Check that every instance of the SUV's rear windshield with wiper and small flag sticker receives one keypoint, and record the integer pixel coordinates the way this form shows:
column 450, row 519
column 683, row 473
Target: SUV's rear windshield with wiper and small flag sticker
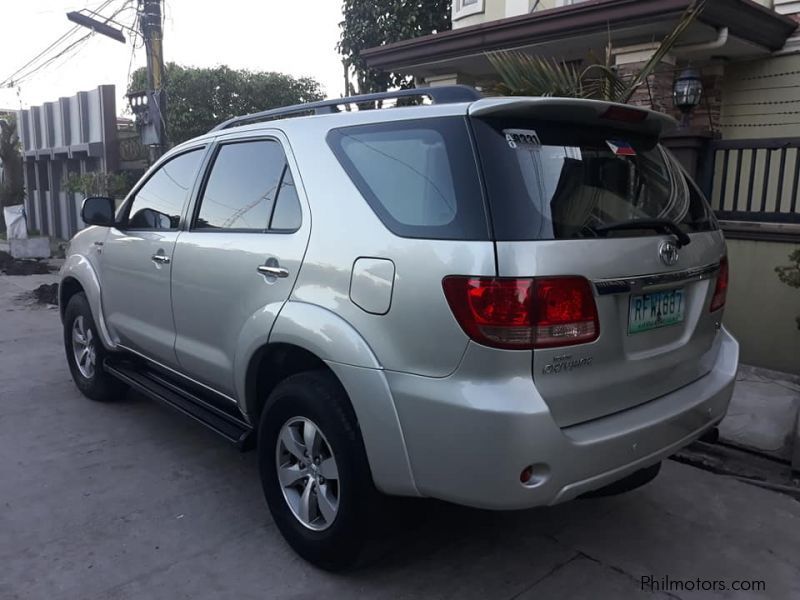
column 559, row 181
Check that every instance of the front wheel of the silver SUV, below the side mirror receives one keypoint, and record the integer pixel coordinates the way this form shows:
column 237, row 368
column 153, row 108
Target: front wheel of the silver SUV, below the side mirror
column 89, row 377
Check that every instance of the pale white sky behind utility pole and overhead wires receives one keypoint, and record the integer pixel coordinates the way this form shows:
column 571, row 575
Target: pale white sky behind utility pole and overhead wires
column 297, row 37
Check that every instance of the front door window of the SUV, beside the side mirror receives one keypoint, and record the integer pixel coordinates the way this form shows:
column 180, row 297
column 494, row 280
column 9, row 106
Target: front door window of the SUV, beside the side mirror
column 159, row 202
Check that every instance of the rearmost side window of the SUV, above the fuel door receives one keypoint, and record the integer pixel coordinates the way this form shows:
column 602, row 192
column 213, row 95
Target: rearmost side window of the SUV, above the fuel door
column 420, row 177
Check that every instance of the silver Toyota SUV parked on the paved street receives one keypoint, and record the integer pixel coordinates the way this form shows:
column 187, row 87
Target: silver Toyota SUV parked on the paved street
column 497, row 302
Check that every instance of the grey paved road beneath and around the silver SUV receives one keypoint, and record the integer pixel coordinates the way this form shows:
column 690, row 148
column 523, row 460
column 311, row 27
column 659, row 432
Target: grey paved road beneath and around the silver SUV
column 132, row 501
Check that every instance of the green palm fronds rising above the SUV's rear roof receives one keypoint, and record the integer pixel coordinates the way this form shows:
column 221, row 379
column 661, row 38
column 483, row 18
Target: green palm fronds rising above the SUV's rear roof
column 525, row 75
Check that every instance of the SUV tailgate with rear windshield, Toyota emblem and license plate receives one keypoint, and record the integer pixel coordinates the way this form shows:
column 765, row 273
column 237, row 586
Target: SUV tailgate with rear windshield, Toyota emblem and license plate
column 563, row 196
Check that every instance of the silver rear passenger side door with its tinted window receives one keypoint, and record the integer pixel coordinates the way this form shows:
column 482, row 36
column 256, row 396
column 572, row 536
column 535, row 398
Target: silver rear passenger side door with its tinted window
column 238, row 261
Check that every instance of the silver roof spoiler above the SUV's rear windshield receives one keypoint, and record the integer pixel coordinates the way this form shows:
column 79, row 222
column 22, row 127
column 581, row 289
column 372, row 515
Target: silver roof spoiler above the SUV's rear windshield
column 576, row 111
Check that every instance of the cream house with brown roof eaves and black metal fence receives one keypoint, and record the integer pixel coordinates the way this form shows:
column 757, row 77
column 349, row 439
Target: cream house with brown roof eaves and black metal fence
column 742, row 142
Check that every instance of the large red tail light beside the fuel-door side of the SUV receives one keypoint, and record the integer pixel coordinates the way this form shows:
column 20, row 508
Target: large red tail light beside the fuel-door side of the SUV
column 524, row 313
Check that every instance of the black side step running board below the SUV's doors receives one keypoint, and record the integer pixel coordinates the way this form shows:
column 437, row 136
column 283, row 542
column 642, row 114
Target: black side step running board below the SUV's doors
column 156, row 386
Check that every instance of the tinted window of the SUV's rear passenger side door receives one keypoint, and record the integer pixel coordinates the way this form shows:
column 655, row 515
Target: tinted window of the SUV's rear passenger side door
column 242, row 187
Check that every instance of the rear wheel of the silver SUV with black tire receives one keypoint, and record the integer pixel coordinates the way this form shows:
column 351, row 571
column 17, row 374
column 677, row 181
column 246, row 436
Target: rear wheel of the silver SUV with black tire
column 316, row 397
